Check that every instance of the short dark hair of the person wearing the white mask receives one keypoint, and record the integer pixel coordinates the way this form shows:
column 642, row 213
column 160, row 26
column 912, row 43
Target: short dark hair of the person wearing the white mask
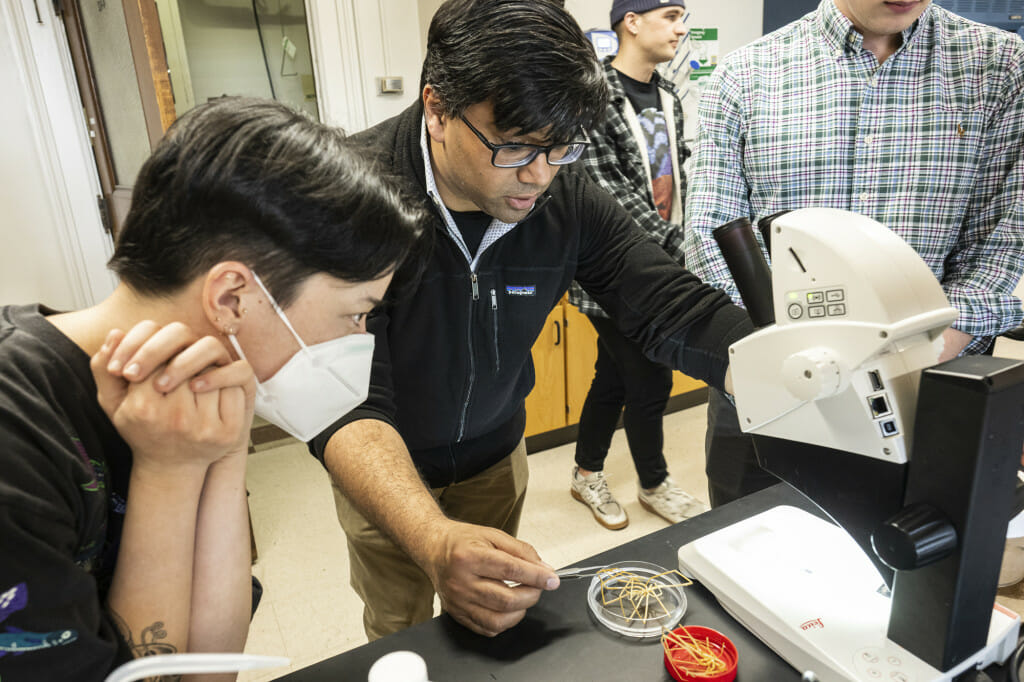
column 255, row 182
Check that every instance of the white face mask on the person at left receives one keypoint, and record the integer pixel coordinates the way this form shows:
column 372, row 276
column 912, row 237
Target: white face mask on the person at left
column 318, row 386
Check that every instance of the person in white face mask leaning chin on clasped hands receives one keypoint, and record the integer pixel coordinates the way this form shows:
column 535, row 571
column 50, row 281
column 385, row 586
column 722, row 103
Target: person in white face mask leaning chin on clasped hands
column 257, row 243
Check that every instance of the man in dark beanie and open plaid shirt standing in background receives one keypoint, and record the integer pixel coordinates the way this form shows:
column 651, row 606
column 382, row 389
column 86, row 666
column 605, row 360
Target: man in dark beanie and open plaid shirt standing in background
column 637, row 155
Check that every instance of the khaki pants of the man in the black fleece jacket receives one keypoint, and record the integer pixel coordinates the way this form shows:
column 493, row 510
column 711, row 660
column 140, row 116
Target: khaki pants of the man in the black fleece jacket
column 396, row 593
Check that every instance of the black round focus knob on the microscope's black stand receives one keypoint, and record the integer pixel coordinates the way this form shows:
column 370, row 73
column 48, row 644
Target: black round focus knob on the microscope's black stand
column 915, row 537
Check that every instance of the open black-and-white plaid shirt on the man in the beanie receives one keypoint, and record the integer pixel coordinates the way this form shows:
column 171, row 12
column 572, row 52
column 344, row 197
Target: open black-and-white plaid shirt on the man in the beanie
column 619, row 163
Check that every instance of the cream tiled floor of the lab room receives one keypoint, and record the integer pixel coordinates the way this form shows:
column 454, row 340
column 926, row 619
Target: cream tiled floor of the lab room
column 310, row 613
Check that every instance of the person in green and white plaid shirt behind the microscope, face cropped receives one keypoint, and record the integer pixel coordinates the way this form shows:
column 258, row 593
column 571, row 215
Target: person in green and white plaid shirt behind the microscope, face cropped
column 900, row 111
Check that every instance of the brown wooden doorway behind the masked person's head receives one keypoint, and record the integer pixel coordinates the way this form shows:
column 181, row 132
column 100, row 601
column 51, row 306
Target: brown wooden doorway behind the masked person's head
column 121, row 65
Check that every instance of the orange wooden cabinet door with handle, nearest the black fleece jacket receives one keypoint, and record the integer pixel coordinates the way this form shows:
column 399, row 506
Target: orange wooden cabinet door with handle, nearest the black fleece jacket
column 546, row 404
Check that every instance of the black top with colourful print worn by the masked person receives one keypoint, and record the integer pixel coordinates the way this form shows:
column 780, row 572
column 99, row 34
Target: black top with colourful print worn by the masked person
column 63, row 495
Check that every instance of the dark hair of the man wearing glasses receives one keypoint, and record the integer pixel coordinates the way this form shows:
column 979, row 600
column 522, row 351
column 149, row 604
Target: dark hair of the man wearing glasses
column 529, row 58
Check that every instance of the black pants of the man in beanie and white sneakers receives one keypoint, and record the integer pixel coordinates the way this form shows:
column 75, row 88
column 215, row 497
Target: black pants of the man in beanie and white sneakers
column 625, row 377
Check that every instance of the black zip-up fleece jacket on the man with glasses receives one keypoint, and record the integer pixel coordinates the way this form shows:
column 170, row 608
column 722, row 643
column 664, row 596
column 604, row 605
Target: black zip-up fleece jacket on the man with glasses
column 453, row 366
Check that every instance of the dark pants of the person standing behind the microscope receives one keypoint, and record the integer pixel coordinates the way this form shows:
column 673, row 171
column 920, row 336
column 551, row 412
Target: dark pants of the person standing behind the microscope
column 731, row 461
